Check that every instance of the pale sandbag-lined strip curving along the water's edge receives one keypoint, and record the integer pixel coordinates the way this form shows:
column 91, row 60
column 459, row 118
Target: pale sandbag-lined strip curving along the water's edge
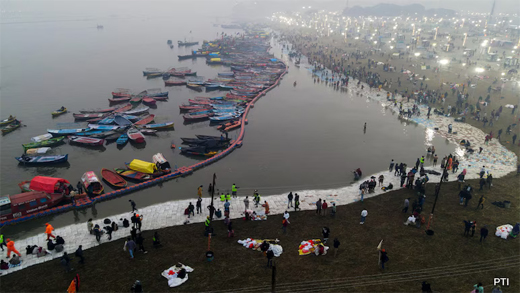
column 497, row 159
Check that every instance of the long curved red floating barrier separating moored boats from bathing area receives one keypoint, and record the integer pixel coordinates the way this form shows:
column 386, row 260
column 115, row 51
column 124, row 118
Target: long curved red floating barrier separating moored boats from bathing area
column 184, row 171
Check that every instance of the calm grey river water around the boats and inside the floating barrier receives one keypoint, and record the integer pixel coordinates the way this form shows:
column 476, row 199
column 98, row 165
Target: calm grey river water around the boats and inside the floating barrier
column 298, row 138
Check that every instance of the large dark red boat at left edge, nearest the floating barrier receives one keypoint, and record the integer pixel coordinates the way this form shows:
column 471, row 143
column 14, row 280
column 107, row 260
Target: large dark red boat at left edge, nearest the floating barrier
column 23, row 204
